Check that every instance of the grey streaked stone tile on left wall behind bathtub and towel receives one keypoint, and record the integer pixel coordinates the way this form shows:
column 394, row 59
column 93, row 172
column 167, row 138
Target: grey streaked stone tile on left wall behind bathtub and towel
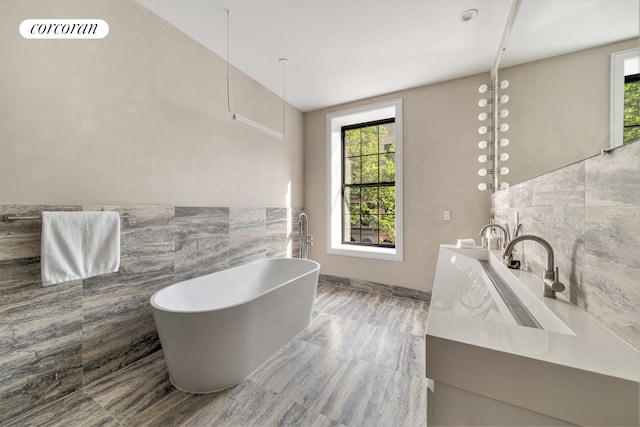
column 59, row 338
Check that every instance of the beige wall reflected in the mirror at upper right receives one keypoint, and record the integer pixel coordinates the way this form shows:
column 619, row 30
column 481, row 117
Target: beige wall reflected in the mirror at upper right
column 559, row 110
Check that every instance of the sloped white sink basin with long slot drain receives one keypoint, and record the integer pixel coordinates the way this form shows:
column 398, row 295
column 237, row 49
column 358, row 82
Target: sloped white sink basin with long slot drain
column 481, row 289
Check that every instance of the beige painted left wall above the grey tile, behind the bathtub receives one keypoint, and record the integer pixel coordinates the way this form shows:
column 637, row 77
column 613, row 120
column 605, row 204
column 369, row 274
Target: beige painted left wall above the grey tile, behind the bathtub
column 138, row 117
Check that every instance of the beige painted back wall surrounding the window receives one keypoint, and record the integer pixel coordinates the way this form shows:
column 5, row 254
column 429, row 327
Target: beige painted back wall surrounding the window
column 440, row 172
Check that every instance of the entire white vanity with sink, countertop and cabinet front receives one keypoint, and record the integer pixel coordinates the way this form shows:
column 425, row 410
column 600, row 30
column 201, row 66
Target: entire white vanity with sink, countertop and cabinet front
column 486, row 369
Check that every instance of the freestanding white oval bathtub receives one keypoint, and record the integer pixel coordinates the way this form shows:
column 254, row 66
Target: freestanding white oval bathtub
column 216, row 330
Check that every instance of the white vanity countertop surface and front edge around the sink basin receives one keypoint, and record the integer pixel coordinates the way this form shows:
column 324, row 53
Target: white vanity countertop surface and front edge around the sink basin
column 593, row 348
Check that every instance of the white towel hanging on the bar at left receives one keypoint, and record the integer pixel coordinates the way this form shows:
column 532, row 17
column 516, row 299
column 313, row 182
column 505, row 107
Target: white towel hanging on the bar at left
column 77, row 245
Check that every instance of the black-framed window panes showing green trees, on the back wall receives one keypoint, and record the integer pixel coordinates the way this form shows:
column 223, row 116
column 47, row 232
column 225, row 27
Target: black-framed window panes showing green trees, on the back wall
column 368, row 184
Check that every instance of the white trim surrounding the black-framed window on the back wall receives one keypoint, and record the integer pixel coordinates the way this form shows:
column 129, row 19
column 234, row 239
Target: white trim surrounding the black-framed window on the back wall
column 335, row 122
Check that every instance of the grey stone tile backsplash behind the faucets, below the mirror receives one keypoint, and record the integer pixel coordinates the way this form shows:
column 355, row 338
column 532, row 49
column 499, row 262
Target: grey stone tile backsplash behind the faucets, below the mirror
column 590, row 213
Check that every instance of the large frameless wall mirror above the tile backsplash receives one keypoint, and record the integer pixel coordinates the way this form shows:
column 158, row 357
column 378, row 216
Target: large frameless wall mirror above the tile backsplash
column 558, row 60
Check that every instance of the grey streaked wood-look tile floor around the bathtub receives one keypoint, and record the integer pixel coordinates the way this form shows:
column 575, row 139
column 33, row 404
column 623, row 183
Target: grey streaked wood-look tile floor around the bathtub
column 359, row 363
